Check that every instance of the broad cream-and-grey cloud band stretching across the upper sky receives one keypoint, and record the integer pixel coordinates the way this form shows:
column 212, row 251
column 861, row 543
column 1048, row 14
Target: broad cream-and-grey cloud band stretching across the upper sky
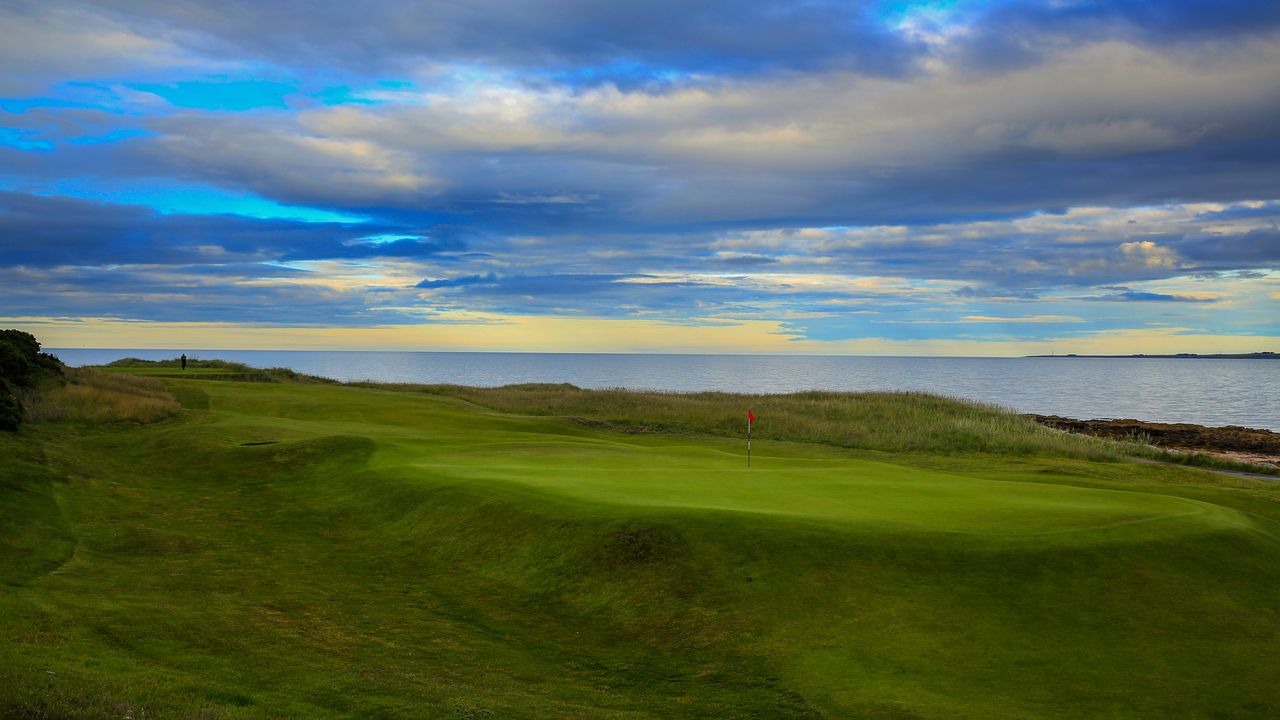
column 1105, row 124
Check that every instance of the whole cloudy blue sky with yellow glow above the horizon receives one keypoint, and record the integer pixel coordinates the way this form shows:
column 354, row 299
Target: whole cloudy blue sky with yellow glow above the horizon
column 881, row 177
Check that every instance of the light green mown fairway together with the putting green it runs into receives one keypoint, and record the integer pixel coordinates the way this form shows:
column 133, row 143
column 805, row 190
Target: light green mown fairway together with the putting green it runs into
column 798, row 482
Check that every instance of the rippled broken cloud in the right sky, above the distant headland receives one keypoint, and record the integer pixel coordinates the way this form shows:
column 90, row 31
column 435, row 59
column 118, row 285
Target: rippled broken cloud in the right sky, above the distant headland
column 1017, row 258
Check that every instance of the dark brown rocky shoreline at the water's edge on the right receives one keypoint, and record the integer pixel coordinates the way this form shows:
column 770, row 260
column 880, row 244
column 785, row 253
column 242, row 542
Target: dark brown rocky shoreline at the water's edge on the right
column 1247, row 445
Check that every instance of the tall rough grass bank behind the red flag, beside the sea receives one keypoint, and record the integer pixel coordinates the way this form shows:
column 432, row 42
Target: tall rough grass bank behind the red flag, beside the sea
column 890, row 422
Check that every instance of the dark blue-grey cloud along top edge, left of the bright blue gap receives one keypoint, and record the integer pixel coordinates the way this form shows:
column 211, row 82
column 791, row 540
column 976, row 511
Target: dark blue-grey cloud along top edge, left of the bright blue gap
column 387, row 37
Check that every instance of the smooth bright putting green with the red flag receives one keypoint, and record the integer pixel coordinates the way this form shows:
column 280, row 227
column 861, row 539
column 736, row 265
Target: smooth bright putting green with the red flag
column 856, row 493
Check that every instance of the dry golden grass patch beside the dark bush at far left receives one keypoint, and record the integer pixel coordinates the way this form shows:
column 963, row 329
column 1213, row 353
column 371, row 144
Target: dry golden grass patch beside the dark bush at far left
column 103, row 398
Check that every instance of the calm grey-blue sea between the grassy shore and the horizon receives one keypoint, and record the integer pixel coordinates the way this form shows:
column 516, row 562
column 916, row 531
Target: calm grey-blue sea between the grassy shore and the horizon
column 1210, row 393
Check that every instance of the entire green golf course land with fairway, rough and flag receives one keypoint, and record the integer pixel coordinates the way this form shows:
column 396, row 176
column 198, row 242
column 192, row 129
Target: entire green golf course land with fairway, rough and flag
column 200, row 544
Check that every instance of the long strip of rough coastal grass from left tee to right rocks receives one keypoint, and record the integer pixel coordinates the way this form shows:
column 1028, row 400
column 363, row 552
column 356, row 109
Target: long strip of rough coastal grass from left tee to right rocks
column 890, row 422
